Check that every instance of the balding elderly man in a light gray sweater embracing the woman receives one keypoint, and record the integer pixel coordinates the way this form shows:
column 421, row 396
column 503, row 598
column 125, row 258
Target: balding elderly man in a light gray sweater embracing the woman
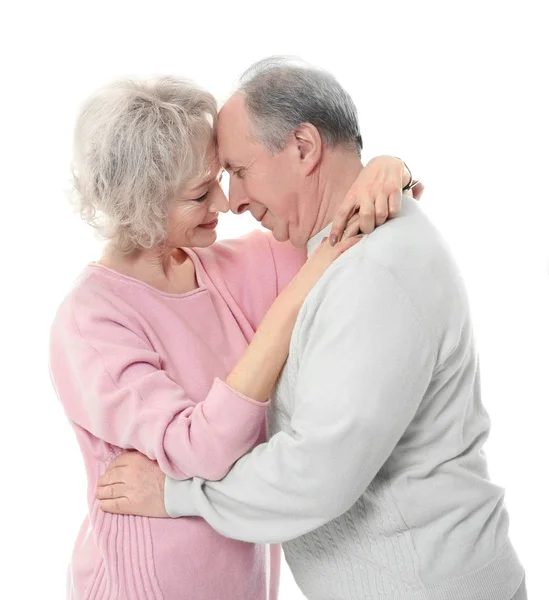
column 374, row 476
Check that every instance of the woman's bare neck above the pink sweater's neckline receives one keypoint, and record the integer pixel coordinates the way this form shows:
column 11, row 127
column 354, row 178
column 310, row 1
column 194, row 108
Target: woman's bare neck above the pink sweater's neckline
column 168, row 270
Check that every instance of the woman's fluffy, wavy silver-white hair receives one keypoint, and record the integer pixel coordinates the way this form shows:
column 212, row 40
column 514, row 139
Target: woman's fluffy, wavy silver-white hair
column 135, row 144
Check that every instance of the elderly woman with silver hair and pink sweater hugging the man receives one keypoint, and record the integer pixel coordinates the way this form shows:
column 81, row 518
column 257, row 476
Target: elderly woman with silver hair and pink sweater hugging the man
column 170, row 344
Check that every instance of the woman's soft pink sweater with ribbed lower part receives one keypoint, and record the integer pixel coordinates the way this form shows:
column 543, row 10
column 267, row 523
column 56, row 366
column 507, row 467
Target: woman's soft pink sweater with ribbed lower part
column 138, row 368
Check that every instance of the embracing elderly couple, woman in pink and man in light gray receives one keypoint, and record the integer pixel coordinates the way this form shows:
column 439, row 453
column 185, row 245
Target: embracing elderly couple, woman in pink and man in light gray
column 316, row 385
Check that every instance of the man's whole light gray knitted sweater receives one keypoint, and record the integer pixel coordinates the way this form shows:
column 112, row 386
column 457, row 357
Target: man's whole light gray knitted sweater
column 374, row 475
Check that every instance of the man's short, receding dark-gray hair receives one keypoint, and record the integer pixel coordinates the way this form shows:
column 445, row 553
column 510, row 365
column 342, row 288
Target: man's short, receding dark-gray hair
column 281, row 95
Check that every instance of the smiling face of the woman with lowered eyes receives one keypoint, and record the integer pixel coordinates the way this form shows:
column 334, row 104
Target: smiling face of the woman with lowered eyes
column 192, row 218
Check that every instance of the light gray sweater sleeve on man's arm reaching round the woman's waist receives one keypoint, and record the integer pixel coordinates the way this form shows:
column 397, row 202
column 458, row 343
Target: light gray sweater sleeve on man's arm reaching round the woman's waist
column 365, row 362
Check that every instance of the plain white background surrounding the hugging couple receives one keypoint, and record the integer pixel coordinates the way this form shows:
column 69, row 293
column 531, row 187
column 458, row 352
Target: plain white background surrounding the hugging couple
column 454, row 88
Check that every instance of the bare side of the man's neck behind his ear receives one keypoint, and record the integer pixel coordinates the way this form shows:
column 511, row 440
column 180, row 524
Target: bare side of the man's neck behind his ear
column 338, row 172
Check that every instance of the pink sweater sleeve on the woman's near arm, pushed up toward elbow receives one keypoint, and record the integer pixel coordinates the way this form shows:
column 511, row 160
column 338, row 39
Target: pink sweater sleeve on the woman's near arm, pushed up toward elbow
column 111, row 383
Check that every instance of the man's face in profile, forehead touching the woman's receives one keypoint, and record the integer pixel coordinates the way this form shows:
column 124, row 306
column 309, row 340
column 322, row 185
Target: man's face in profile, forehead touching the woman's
column 265, row 184
